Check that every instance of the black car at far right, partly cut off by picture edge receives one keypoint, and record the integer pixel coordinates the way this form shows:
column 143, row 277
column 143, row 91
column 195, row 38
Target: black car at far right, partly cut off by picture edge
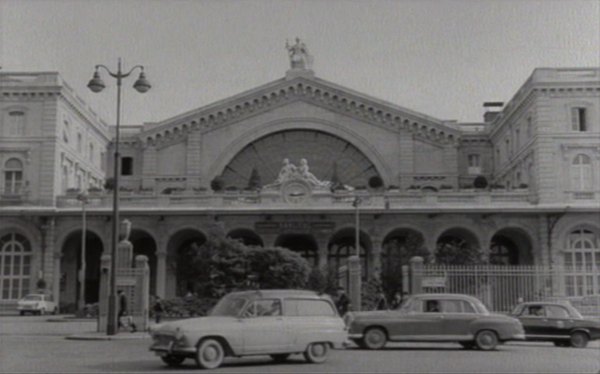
column 559, row 323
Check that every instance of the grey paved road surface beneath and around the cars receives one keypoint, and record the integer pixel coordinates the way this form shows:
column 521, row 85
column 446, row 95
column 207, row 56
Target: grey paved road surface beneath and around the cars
column 32, row 344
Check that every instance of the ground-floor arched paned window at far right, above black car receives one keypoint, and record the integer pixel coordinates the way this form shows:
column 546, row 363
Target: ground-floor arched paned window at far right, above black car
column 582, row 263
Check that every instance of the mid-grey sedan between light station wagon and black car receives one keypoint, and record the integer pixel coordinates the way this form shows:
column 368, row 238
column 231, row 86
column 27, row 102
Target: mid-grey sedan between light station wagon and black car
column 435, row 318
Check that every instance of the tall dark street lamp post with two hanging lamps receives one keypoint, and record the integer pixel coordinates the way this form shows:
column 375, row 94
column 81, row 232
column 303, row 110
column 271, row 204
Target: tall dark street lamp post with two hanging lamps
column 96, row 85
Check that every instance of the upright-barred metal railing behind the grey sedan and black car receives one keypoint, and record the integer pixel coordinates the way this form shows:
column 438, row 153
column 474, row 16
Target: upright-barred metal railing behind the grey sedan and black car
column 501, row 287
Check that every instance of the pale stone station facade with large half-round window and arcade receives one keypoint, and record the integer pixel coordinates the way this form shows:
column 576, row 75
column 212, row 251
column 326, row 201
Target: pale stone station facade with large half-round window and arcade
column 540, row 155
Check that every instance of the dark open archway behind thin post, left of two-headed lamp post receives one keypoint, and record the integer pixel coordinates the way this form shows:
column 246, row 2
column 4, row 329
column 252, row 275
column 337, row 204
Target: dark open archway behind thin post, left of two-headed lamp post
column 70, row 265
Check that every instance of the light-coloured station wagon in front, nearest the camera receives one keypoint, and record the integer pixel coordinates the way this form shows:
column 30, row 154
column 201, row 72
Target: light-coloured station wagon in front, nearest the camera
column 262, row 322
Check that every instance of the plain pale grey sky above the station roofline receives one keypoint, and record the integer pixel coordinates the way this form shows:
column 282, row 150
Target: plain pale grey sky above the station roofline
column 443, row 58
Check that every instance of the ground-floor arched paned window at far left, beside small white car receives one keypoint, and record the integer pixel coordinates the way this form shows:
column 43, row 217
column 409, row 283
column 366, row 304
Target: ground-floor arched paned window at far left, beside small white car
column 15, row 266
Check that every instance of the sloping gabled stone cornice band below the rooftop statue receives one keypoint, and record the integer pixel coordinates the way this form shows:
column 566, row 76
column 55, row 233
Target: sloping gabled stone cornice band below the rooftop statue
column 305, row 88
